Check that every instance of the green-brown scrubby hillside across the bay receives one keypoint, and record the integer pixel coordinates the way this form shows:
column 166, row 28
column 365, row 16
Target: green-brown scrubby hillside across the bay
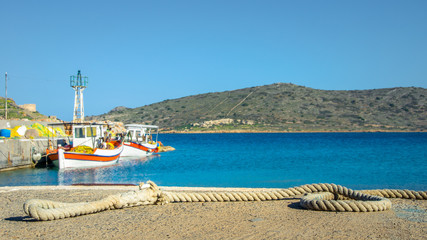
column 285, row 107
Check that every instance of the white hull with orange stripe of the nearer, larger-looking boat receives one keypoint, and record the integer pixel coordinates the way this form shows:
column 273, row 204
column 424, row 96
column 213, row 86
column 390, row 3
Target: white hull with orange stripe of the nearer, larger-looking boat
column 100, row 157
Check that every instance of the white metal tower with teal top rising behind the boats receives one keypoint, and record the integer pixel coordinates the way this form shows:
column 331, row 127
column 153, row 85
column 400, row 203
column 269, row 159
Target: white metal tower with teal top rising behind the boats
column 78, row 83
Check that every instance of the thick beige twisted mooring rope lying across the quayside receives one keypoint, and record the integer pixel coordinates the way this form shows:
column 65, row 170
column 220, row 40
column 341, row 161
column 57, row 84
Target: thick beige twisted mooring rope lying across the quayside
column 325, row 197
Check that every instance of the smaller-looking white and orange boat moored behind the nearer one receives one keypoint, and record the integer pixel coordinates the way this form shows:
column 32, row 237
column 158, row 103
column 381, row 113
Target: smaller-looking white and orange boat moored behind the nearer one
column 139, row 141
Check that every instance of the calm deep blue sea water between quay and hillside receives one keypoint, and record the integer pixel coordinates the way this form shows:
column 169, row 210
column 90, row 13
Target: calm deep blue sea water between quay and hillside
column 355, row 160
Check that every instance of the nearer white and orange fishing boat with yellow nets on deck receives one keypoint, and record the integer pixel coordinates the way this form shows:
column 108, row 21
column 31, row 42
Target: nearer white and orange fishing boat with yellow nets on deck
column 87, row 146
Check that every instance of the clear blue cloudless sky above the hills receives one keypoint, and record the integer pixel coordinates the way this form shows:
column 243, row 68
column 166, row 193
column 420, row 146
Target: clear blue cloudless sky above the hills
column 140, row 52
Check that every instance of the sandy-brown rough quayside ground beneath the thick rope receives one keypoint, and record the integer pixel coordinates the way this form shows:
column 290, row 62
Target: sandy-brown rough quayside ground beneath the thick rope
column 282, row 219
